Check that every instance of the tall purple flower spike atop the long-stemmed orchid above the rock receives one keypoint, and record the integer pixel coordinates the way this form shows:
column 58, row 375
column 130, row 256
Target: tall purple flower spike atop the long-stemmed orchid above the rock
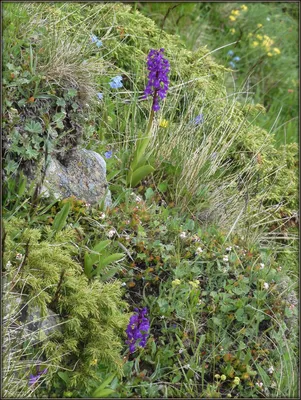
column 158, row 82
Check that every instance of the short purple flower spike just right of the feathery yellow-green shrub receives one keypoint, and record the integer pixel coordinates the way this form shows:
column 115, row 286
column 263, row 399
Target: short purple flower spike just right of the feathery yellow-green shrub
column 138, row 329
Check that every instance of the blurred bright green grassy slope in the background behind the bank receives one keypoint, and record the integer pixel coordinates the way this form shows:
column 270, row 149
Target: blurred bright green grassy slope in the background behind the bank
column 264, row 79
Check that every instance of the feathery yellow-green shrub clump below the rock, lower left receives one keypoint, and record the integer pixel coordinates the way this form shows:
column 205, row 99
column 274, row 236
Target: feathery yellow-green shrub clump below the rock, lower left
column 92, row 314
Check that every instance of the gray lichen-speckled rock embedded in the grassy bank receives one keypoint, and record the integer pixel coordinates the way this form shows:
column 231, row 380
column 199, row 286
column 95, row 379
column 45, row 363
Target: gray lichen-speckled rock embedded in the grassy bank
column 82, row 176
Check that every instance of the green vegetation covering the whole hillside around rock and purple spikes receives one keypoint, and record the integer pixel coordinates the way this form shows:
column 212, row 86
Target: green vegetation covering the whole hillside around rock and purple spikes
column 203, row 227
